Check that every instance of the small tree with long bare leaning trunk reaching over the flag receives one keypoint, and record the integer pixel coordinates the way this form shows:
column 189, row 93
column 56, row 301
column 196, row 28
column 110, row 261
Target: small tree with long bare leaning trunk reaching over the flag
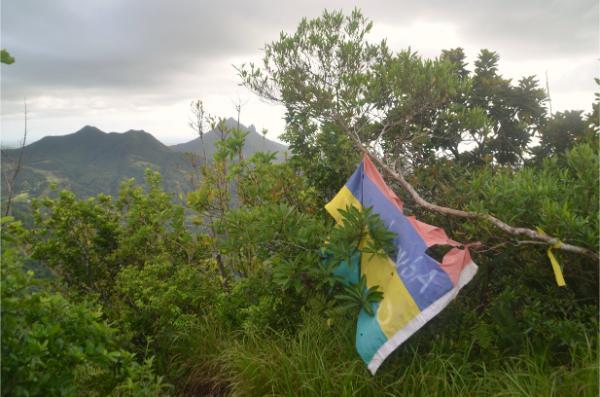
column 387, row 105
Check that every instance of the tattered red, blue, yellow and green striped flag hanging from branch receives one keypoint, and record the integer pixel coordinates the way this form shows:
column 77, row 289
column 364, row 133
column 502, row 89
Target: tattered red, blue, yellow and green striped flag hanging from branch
column 415, row 286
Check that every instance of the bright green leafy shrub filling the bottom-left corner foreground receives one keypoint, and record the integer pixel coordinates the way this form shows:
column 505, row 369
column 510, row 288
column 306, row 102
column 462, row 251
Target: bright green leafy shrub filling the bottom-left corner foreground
column 52, row 346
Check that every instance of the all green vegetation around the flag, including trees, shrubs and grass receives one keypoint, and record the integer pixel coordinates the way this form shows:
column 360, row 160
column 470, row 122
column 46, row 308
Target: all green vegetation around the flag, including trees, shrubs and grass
column 231, row 293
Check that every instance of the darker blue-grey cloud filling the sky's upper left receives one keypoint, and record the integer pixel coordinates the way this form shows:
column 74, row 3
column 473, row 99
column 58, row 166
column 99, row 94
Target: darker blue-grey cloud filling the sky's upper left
column 112, row 43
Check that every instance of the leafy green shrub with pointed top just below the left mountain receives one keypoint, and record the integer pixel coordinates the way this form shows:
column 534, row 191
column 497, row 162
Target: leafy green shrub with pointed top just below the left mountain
column 88, row 242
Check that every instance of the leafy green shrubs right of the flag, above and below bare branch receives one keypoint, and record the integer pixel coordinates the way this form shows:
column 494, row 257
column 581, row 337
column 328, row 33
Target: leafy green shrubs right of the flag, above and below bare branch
column 513, row 305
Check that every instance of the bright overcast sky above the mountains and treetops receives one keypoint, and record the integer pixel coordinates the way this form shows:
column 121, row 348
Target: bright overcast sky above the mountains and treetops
column 137, row 64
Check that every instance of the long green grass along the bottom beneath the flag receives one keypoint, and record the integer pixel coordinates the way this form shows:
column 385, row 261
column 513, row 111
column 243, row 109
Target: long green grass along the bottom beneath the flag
column 321, row 361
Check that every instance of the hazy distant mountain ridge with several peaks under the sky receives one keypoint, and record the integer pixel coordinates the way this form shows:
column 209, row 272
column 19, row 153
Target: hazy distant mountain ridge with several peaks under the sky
column 91, row 161
